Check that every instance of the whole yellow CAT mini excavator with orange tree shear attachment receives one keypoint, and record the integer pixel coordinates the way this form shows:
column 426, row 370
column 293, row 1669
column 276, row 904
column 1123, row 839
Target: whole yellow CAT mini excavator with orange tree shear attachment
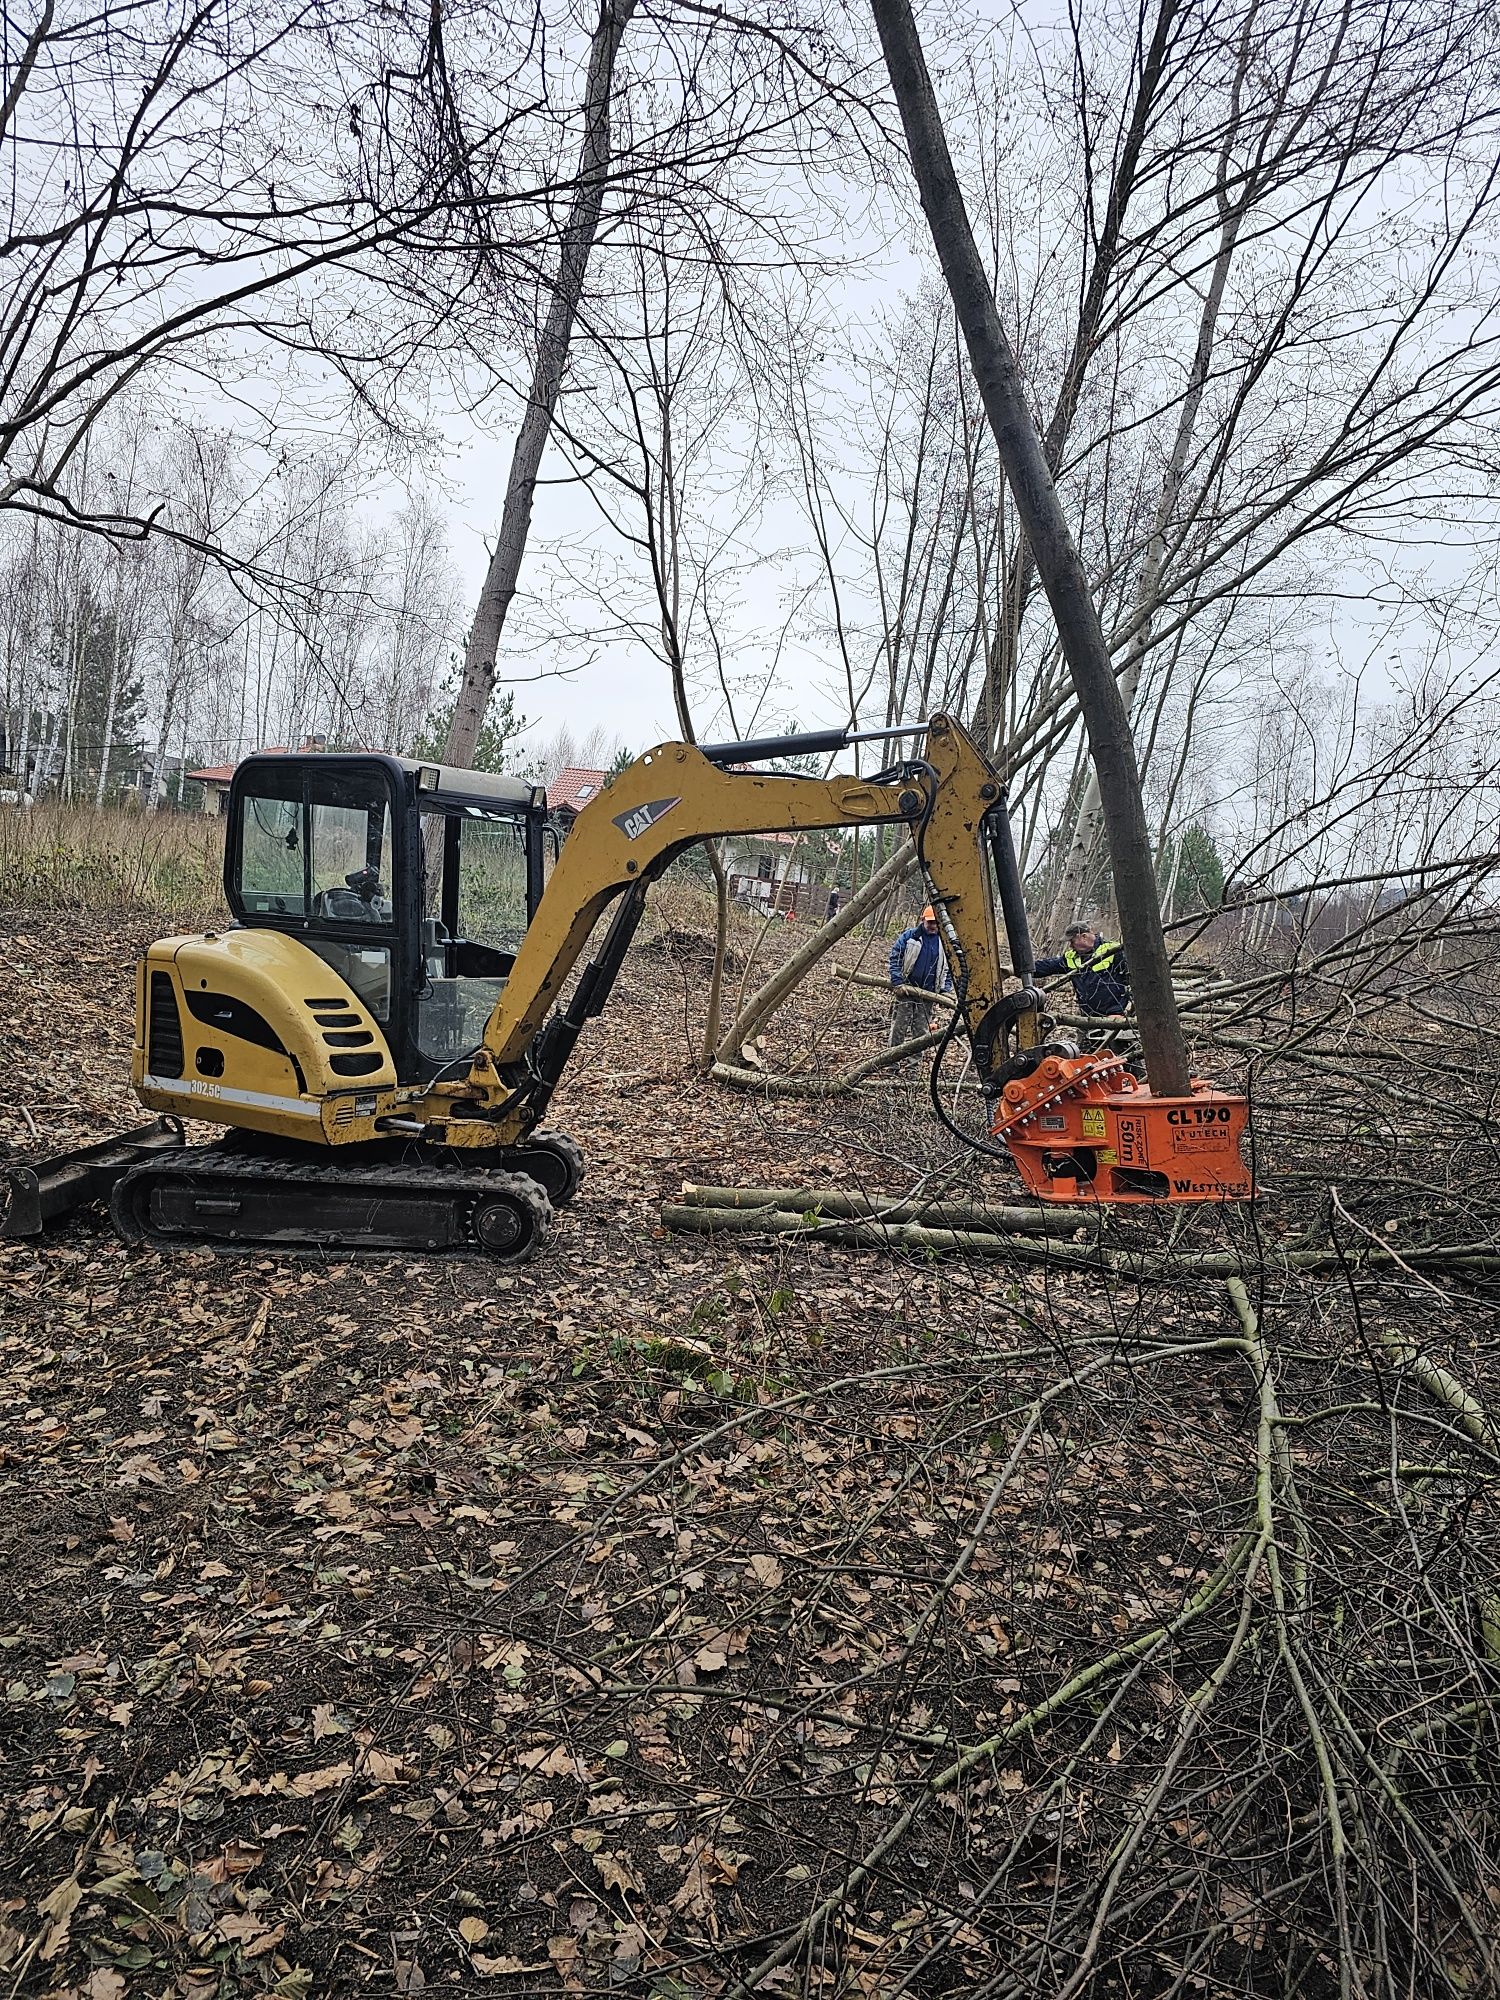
column 385, row 1021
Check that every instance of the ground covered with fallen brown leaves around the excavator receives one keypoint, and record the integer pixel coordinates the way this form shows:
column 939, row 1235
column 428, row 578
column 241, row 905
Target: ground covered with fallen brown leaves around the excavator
column 385, row 1625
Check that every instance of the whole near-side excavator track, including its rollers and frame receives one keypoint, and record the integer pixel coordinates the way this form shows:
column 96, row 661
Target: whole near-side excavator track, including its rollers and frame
column 233, row 1199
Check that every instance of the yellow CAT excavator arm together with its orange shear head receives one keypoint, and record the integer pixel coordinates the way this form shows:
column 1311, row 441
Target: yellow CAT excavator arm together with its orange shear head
column 1073, row 1123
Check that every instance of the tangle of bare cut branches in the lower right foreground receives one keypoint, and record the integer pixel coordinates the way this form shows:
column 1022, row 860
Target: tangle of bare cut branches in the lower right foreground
column 1287, row 1781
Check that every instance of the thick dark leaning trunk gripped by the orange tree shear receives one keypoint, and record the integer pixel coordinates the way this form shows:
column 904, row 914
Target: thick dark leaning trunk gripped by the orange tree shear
column 1055, row 555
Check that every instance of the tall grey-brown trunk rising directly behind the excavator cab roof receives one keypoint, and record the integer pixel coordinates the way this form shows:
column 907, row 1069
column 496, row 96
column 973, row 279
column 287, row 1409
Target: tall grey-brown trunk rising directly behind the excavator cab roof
column 477, row 685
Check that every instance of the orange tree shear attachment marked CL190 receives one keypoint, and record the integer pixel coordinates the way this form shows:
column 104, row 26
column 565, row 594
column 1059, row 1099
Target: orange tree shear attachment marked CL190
column 1083, row 1125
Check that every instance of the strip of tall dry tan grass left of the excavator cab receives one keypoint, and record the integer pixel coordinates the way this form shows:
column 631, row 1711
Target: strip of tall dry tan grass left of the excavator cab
column 71, row 857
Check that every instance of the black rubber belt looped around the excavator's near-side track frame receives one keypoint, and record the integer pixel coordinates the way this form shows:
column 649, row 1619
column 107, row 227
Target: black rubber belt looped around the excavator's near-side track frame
column 223, row 1165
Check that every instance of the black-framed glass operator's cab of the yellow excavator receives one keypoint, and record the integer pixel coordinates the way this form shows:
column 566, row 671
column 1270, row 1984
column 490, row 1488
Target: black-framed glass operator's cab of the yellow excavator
column 413, row 883
